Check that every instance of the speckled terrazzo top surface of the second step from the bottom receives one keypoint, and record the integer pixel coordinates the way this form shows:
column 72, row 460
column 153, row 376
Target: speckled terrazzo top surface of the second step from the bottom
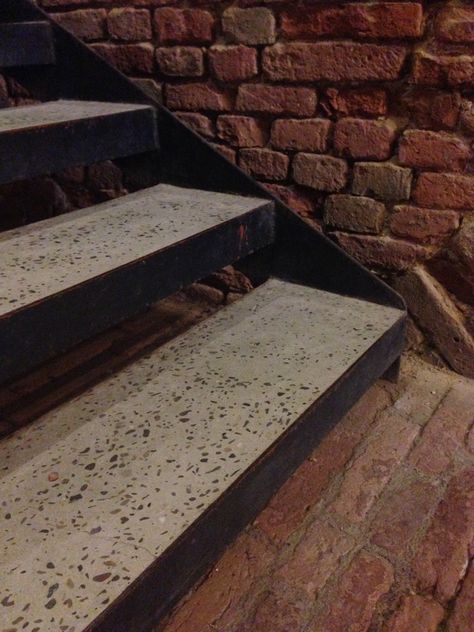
column 42, row 259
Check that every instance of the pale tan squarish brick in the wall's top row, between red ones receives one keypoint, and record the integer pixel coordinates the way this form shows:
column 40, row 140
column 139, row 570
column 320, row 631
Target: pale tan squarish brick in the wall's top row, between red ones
column 249, row 26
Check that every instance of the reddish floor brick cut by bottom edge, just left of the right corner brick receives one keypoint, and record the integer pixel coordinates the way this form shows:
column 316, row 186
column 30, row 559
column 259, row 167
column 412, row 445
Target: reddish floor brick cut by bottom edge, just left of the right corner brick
column 416, row 614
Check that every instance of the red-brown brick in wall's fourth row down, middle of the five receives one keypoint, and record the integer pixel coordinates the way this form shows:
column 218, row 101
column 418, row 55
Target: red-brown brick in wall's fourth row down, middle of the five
column 302, row 135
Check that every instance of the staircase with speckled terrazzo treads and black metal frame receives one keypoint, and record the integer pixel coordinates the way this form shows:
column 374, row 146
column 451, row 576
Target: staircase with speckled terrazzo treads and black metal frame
column 160, row 465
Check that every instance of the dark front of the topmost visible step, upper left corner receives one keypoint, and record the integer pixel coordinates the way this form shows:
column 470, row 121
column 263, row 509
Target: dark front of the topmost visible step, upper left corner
column 26, row 44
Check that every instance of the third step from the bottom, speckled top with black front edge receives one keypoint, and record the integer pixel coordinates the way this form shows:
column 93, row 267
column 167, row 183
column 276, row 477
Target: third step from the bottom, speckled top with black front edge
column 51, row 136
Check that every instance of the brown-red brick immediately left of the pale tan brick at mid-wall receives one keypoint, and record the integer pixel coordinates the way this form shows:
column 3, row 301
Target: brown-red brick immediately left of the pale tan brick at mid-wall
column 323, row 173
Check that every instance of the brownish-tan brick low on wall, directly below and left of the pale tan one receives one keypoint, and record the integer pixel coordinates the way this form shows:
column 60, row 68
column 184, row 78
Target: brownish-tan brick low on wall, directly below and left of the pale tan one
column 357, row 214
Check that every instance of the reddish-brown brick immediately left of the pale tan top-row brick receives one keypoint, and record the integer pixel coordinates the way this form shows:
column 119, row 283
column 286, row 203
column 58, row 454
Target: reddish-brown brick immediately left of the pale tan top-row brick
column 183, row 25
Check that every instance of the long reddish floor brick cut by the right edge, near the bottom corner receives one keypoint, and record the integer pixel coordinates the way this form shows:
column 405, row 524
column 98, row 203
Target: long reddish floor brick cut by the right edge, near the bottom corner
column 442, row 558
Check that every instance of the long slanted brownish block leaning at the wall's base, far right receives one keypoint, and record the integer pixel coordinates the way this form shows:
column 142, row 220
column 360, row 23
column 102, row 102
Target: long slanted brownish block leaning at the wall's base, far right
column 437, row 315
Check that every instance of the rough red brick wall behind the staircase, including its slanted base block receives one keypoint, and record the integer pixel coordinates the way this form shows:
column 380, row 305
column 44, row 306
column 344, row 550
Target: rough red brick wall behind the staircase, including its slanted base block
column 360, row 115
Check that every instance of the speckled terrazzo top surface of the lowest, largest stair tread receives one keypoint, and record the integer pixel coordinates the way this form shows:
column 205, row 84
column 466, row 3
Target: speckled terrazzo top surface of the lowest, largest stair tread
column 98, row 489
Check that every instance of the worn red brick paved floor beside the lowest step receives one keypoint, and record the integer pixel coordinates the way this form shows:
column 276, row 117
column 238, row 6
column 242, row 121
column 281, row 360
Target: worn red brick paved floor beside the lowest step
column 375, row 531
